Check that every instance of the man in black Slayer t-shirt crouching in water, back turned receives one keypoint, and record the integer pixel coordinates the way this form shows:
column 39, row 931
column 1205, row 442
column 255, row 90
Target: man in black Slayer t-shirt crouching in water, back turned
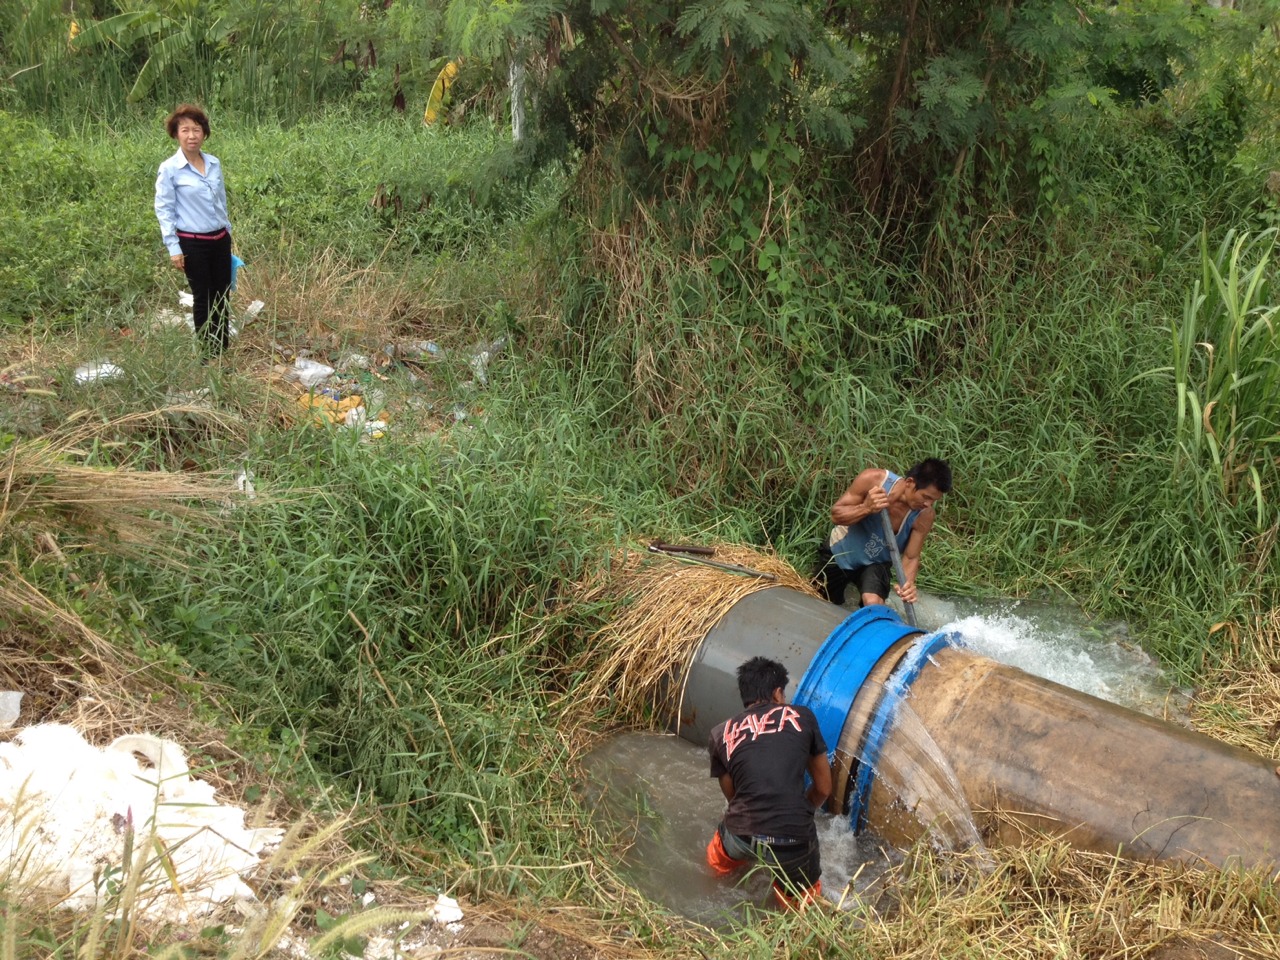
column 761, row 758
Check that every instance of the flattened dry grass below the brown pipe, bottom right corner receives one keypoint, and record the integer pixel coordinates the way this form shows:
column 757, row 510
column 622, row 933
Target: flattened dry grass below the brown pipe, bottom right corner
column 1049, row 900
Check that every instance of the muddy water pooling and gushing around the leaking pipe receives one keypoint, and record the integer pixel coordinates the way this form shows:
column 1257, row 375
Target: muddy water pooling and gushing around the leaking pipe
column 653, row 794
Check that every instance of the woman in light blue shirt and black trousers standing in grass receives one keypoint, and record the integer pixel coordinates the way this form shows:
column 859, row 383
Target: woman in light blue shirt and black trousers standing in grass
column 191, row 207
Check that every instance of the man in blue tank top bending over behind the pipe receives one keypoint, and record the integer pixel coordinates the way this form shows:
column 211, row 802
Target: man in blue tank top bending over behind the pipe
column 857, row 551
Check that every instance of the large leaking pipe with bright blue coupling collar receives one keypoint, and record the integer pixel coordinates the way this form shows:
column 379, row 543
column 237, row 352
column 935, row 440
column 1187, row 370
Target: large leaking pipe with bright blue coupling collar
column 1048, row 757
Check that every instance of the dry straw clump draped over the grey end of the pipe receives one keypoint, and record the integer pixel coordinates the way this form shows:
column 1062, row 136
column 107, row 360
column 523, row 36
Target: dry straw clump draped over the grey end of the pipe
column 668, row 606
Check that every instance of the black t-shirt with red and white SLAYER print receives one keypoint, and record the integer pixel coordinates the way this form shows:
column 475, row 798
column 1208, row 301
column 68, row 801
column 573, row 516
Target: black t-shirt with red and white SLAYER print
column 766, row 749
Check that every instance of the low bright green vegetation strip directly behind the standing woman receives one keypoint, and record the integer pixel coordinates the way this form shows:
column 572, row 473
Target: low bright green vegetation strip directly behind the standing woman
column 81, row 239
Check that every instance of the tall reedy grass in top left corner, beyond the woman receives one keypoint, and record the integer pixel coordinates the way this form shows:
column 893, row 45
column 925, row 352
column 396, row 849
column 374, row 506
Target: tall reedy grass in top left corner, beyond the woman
column 272, row 61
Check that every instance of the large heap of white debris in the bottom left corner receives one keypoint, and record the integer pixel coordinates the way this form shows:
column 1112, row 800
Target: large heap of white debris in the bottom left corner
column 72, row 812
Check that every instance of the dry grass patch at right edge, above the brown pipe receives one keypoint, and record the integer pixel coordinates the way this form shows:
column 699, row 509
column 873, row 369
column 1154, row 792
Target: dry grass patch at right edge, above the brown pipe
column 1240, row 703
